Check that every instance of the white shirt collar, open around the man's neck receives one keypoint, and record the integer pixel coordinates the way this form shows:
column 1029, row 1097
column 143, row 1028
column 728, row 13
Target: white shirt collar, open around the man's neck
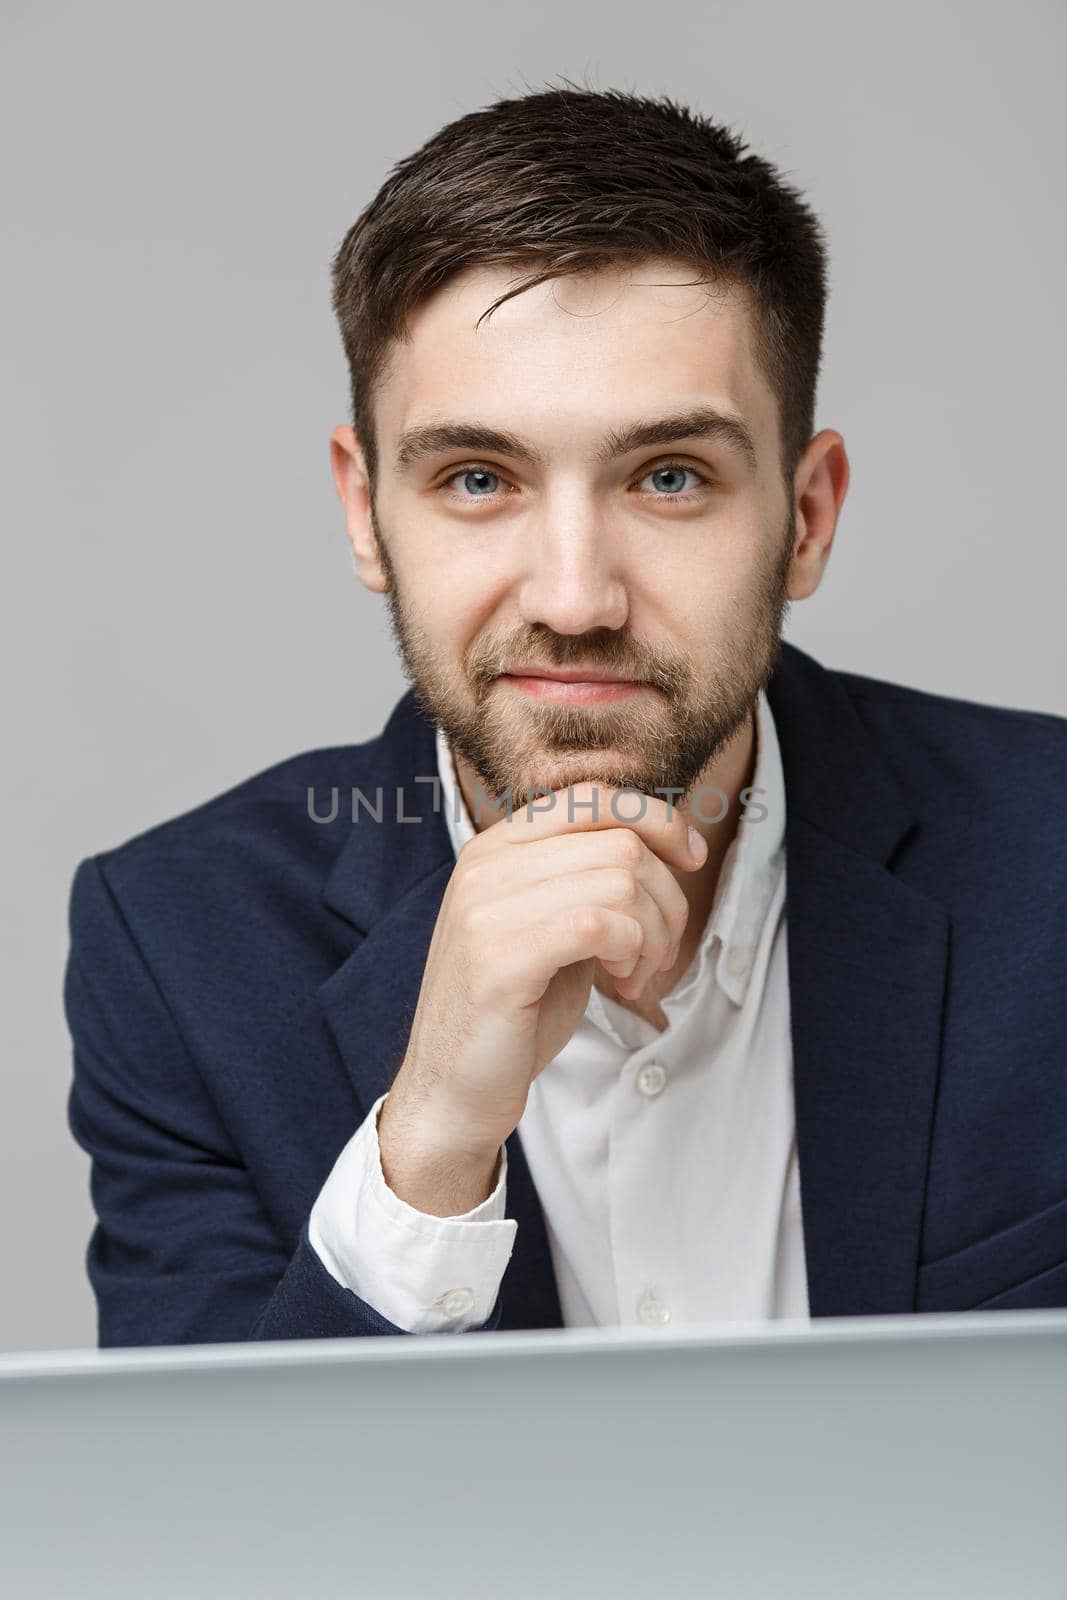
column 749, row 873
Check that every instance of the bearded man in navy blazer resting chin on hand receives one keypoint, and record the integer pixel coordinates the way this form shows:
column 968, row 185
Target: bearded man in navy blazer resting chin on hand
column 642, row 970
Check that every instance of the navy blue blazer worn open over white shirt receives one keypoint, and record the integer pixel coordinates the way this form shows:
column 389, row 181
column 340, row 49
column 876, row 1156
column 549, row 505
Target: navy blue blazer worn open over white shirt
column 242, row 983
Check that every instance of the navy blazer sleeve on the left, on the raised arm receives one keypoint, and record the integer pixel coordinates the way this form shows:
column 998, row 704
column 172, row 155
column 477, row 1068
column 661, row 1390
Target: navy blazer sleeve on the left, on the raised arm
column 183, row 1250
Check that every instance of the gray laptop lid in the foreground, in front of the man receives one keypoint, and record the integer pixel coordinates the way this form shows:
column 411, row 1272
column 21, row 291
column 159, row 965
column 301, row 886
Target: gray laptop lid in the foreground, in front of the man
column 866, row 1458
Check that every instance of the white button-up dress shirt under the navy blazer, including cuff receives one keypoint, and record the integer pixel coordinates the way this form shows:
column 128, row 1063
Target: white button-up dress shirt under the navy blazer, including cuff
column 665, row 1162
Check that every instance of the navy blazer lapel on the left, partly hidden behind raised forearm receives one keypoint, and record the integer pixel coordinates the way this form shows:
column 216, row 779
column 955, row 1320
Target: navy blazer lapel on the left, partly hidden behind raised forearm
column 390, row 881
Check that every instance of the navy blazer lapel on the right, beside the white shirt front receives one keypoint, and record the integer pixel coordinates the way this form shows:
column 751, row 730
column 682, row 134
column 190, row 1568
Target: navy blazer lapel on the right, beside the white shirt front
column 868, row 967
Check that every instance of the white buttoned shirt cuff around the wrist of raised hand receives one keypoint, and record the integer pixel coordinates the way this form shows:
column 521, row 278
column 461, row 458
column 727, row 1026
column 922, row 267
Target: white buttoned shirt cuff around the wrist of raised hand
column 426, row 1274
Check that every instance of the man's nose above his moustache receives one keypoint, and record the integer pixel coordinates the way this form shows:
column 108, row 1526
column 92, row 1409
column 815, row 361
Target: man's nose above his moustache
column 572, row 583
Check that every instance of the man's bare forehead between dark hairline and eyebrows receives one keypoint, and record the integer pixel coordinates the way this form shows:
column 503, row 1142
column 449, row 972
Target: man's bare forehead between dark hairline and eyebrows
column 575, row 354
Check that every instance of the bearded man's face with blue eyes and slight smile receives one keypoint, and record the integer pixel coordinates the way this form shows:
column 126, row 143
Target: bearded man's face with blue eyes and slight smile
column 660, row 561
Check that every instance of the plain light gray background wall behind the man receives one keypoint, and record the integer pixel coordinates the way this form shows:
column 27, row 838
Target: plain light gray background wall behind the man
column 180, row 602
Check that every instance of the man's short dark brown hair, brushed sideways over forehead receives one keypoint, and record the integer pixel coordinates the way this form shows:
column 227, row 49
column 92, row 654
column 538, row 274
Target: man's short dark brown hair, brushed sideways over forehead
column 569, row 180
